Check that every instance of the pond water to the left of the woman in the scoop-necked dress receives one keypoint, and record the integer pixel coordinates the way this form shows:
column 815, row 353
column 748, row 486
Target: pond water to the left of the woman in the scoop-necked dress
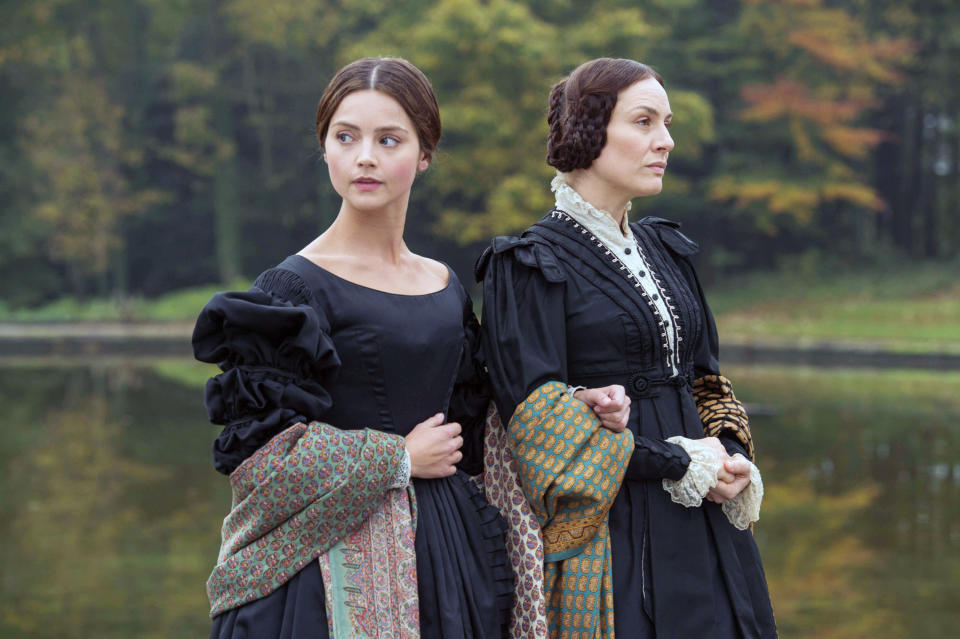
column 109, row 511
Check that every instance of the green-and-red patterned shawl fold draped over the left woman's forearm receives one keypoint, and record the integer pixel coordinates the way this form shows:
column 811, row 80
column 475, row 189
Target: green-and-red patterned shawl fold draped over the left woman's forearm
column 293, row 499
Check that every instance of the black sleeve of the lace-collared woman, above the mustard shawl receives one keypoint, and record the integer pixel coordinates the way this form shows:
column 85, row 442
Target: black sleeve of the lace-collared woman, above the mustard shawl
column 523, row 326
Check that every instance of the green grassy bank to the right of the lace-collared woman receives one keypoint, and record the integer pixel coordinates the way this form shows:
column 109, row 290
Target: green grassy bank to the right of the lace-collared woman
column 904, row 308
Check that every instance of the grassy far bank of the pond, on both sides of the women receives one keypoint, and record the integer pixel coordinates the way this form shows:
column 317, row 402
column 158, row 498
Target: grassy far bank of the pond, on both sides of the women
column 904, row 307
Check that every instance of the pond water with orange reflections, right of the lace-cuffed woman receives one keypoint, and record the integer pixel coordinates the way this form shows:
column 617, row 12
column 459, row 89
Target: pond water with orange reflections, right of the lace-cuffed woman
column 859, row 530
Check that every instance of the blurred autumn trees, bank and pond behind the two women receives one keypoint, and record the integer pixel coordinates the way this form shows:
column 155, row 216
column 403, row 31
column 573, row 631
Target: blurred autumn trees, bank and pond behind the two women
column 153, row 152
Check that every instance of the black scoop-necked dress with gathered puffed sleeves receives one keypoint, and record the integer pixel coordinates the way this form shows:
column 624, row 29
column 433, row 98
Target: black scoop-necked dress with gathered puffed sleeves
column 304, row 344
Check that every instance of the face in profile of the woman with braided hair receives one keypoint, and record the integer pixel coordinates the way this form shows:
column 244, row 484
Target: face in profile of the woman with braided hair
column 634, row 158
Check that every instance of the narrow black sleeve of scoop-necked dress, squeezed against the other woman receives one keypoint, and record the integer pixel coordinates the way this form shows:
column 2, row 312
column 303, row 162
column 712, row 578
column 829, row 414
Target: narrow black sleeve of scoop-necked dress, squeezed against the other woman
column 471, row 393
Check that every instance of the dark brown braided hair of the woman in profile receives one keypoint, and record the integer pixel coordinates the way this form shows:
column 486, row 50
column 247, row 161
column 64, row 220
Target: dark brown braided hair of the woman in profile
column 580, row 108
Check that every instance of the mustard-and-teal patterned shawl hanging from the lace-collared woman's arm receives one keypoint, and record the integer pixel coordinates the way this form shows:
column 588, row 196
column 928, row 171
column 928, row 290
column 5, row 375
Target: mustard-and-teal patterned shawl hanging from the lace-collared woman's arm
column 570, row 470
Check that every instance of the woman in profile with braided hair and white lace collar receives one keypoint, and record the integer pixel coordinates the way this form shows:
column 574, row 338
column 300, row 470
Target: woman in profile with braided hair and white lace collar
column 629, row 445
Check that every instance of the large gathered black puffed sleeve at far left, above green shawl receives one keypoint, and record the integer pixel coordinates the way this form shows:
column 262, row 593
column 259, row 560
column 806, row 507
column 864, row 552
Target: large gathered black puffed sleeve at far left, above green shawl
column 274, row 348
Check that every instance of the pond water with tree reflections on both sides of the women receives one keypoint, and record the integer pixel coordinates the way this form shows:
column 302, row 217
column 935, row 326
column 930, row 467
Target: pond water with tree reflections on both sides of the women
column 110, row 510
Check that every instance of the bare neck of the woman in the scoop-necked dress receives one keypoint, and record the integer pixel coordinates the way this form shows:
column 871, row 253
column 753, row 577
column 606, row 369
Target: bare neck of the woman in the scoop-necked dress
column 374, row 235
